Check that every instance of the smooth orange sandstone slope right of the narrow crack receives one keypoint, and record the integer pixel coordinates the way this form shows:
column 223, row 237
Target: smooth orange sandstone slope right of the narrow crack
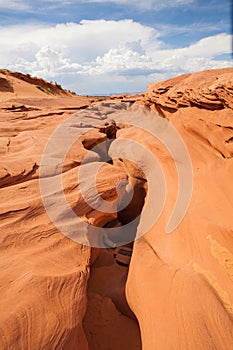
column 184, row 297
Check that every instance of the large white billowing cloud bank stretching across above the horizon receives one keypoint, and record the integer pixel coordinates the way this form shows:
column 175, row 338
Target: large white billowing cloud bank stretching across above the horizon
column 95, row 56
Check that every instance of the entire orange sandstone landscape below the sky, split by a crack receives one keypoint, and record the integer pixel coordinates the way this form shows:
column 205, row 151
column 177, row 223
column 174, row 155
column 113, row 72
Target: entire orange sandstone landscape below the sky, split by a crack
column 57, row 291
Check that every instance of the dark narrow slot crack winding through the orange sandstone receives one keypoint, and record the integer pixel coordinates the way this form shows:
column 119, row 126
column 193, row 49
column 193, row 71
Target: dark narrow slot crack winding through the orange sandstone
column 109, row 323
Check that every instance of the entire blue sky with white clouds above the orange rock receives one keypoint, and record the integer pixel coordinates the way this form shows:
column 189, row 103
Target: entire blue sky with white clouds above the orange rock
column 96, row 47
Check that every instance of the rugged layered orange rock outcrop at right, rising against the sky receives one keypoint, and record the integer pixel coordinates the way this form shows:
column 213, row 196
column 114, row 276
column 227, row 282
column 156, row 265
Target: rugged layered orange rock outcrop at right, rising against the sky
column 211, row 90
